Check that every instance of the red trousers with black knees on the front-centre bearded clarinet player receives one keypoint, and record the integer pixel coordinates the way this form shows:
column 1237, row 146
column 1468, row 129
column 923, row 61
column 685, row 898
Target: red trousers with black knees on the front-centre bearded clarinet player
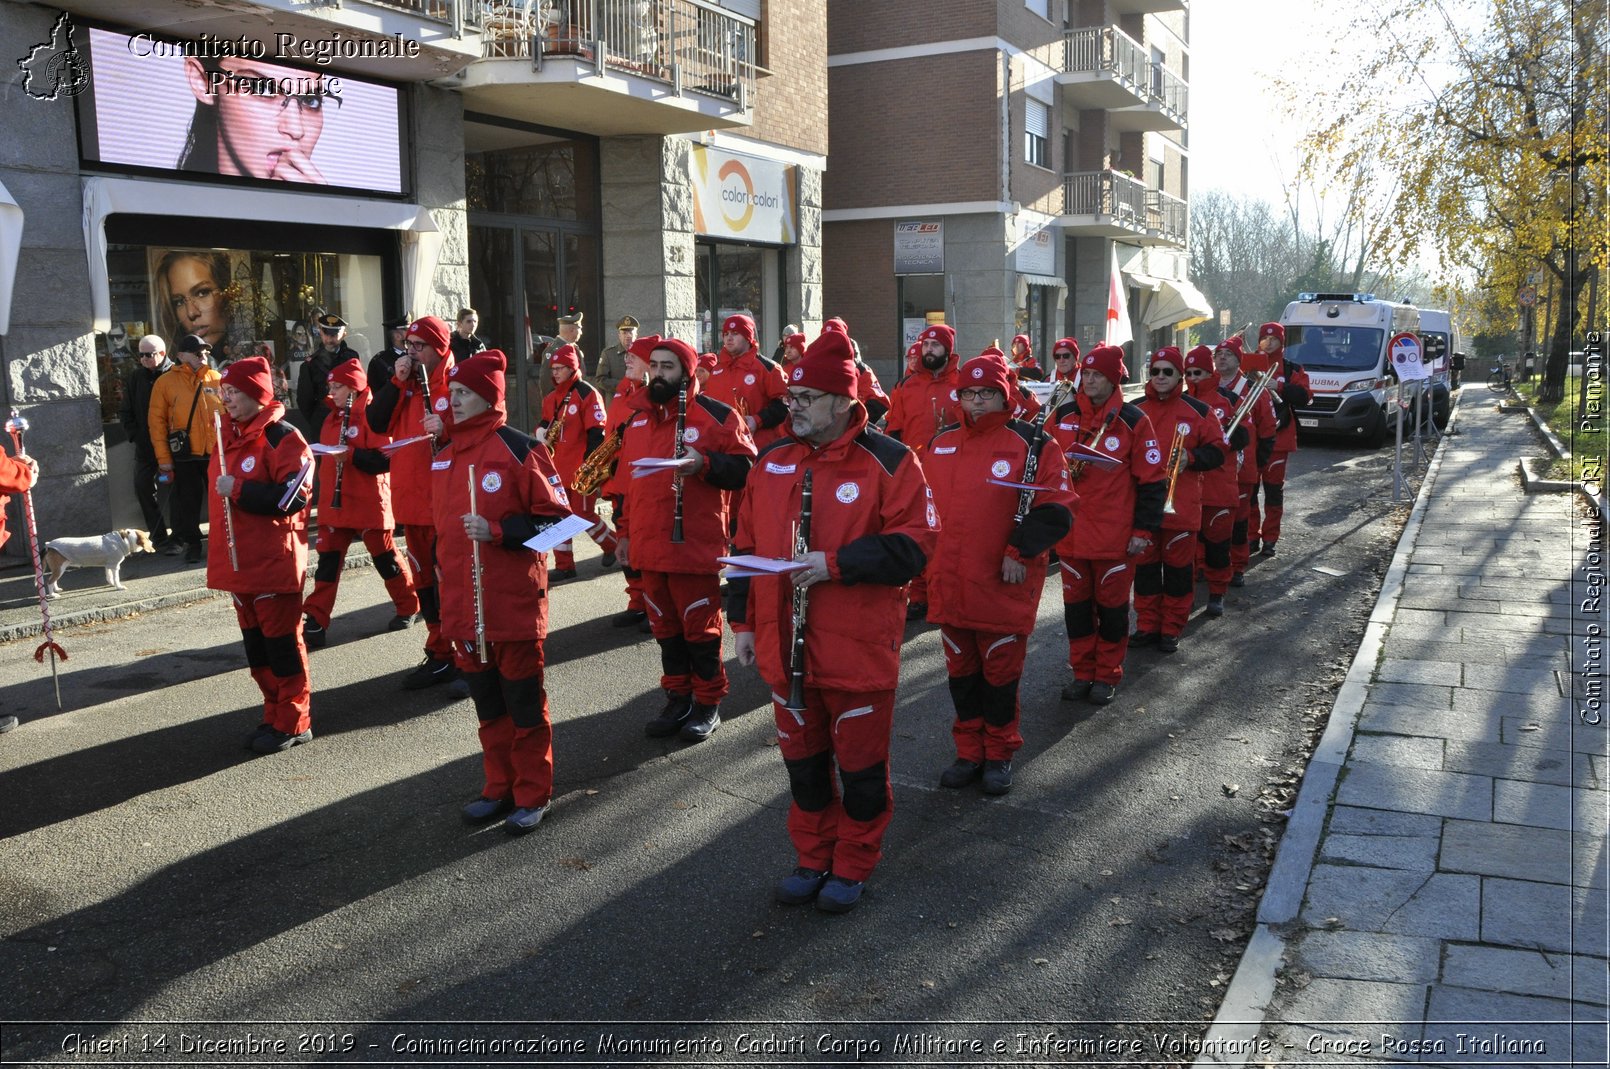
column 838, row 822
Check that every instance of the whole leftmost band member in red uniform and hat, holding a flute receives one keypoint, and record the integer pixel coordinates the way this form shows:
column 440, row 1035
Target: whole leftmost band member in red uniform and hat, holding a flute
column 263, row 505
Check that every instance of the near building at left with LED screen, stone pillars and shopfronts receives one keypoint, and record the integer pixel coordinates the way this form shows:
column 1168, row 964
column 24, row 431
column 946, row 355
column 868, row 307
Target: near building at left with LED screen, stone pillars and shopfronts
column 236, row 170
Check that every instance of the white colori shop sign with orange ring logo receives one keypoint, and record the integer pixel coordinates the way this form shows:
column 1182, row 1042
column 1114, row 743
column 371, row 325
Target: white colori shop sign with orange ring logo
column 745, row 197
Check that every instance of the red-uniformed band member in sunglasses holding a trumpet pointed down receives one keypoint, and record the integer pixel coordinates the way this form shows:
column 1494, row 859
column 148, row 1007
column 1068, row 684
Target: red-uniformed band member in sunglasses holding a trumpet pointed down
column 1165, row 574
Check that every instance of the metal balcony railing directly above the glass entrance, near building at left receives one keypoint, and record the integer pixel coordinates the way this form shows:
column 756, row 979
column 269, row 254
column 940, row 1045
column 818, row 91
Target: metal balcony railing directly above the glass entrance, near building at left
column 685, row 43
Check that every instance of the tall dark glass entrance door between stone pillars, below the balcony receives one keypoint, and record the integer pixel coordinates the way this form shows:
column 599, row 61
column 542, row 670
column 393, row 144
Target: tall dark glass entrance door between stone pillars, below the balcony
column 524, row 274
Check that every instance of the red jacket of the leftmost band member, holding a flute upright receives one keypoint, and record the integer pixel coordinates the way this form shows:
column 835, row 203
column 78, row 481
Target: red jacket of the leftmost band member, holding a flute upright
column 273, row 471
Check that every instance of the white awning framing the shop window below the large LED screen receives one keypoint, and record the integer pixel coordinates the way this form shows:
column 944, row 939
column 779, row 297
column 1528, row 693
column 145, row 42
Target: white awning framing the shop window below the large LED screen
column 136, row 197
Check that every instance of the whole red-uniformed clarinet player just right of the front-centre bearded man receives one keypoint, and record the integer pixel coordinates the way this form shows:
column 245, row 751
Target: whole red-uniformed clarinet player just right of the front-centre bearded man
column 988, row 593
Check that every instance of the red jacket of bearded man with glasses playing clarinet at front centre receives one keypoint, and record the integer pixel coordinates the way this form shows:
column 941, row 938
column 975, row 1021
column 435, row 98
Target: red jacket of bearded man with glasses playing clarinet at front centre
column 873, row 518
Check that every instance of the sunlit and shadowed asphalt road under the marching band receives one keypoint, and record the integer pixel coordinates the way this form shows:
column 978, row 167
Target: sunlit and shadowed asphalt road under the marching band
column 152, row 872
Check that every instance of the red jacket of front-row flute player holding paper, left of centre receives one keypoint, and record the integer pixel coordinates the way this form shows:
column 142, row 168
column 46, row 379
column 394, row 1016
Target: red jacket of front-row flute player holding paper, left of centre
column 519, row 492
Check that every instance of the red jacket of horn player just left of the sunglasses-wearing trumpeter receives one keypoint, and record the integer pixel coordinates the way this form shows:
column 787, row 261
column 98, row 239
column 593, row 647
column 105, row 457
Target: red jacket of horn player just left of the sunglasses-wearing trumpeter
column 1117, row 503
